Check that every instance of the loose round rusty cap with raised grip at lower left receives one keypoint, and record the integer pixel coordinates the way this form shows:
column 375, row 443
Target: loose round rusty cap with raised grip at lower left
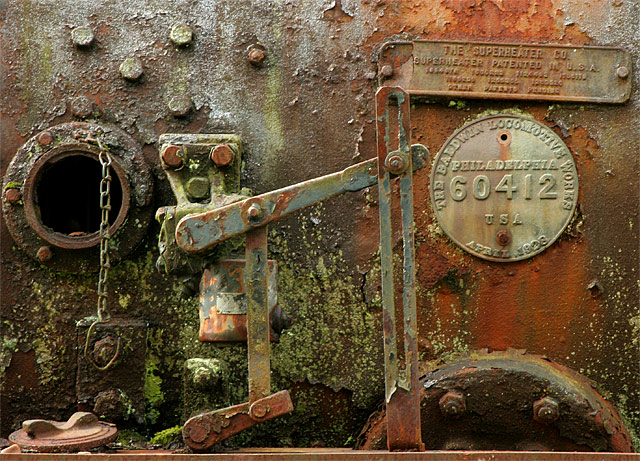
column 81, row 432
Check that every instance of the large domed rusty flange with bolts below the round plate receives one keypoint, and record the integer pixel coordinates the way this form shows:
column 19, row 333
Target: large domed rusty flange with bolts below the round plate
column 509, row 399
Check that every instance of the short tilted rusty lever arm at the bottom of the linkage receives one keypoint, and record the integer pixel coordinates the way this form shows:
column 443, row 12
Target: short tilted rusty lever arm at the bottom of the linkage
column 204, row 431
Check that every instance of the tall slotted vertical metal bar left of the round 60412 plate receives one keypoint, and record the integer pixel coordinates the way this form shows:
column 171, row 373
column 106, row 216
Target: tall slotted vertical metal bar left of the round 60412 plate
column 402, row 389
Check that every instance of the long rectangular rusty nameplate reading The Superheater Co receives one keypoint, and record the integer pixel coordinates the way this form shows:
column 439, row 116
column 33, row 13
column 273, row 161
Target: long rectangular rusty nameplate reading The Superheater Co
column 508, row 71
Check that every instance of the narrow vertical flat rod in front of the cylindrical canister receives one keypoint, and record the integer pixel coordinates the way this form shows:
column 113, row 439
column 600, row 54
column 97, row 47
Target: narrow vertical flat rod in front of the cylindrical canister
column 258, row 345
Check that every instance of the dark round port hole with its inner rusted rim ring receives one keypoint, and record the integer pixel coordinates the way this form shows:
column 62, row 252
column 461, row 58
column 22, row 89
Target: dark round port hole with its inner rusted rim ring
column 62, row 198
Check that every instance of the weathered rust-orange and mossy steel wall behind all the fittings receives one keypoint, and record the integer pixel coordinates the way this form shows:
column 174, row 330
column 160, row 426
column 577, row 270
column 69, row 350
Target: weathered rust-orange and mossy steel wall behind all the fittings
column 308, row 111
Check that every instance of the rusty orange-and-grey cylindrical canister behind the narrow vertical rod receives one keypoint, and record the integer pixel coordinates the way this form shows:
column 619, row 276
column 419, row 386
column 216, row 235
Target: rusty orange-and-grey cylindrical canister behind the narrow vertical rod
column 223, row 302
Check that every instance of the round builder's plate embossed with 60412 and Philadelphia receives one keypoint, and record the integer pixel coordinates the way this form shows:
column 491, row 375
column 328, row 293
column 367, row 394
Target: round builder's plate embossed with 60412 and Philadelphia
column 504, row 187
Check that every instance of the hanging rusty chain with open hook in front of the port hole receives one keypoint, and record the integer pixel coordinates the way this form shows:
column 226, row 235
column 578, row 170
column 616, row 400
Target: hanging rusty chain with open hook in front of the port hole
column 105, row 208
